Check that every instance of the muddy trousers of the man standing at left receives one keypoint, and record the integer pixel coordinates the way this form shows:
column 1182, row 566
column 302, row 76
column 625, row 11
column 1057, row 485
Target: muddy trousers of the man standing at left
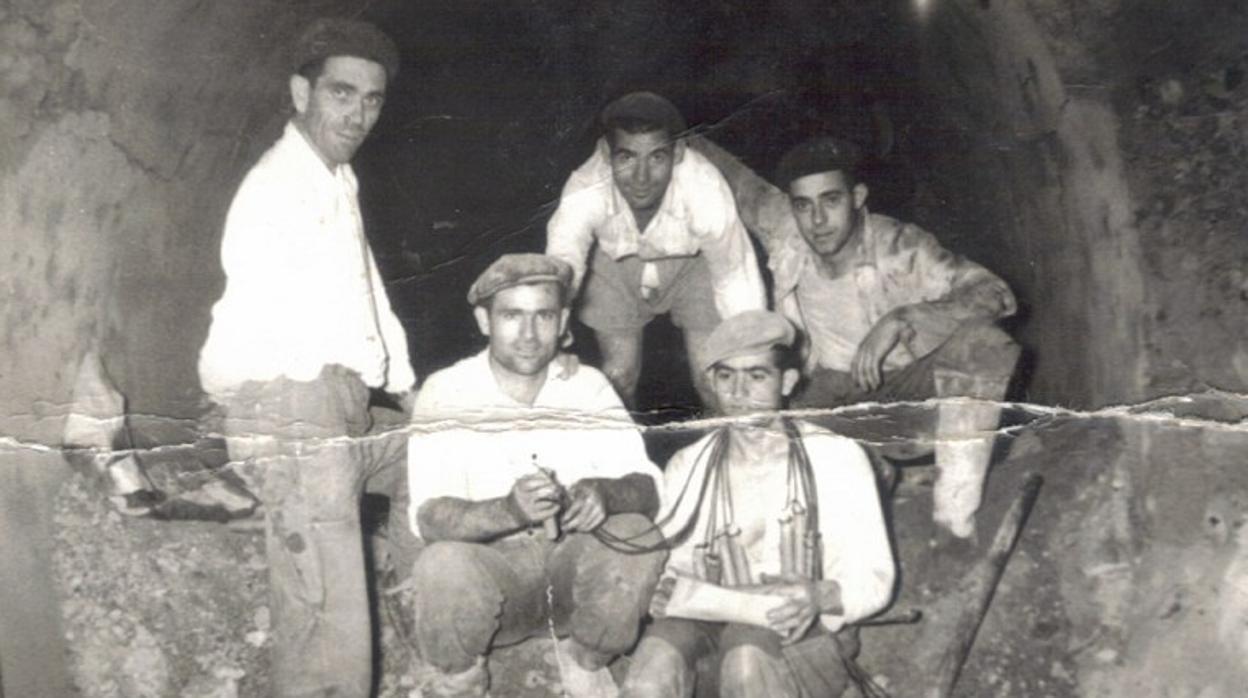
column 305, row 451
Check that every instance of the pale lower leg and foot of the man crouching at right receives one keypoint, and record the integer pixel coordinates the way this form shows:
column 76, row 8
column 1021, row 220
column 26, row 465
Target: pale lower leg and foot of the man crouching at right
column 965, row 434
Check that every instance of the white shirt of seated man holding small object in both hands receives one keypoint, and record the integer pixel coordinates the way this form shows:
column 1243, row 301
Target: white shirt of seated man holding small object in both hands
column 472, row 441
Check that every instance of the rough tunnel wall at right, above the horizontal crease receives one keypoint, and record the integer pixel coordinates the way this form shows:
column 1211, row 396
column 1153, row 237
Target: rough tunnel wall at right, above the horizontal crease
column 1095, row 153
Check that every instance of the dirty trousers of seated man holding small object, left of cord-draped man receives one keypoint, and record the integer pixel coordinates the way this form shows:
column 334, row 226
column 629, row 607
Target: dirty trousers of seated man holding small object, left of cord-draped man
column 471, row 597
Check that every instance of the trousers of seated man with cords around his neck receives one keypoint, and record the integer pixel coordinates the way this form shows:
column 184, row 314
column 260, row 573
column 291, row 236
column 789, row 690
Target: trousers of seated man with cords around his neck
column 748, row 662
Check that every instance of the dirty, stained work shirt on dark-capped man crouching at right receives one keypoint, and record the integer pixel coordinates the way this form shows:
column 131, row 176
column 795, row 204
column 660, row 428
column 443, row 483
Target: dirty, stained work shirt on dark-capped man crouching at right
column 899, row 265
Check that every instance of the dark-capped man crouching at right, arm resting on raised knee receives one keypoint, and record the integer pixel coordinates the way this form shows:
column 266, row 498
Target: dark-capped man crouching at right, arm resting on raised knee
column 890, row 315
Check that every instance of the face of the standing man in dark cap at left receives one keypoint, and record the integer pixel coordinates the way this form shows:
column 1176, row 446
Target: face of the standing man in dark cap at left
column 338, row 112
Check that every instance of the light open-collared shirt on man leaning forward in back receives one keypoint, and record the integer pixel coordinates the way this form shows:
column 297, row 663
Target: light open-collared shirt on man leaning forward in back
column 698, row 214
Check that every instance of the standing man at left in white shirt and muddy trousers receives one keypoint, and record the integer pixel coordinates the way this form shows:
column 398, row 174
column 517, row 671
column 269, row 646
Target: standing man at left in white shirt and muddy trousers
column 299, row 339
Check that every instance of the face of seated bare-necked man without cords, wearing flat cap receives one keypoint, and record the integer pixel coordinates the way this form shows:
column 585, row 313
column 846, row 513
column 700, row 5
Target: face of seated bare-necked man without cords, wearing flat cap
column 524, row 325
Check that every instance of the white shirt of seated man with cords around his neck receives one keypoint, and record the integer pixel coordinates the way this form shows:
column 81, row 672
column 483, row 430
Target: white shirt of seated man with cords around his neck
column 857, row 553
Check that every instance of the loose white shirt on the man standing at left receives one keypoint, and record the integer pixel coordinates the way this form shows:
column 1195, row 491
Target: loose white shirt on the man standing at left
column 303, row 289
